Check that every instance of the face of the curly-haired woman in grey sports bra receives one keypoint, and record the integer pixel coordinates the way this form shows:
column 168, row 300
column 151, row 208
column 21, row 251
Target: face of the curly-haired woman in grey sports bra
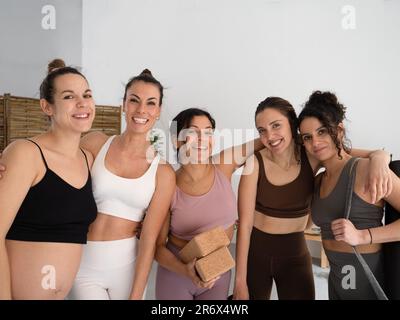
column 317, row 140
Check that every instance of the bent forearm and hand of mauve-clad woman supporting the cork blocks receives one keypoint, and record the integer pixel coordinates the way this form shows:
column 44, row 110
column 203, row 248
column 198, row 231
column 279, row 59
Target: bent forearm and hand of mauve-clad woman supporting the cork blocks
column 169, row 261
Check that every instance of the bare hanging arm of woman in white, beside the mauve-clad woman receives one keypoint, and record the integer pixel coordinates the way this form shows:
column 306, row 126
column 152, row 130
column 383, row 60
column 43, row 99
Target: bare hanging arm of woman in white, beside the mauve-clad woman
column 155, row 217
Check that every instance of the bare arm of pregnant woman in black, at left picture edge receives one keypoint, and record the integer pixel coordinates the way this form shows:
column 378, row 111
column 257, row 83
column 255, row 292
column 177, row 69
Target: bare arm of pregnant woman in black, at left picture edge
column 14, row 186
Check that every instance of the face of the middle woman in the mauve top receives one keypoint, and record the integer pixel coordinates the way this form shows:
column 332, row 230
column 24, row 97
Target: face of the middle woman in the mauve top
column 195, row 142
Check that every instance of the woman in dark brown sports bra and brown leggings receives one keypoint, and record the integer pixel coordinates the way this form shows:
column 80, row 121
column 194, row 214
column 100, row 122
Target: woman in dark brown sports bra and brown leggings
column 274, row 201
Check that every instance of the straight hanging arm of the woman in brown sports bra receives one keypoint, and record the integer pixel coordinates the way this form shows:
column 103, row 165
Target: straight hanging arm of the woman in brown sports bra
column 246, row 206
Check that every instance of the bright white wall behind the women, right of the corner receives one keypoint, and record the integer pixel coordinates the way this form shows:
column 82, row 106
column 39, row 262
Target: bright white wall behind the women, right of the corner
column 228, row 55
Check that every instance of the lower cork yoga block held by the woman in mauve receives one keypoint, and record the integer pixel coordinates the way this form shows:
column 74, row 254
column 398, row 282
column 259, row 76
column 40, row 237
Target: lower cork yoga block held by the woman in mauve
column 214, row 264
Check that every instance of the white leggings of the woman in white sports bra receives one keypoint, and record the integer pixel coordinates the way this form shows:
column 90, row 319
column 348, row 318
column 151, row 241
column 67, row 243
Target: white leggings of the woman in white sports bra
column 106, row 270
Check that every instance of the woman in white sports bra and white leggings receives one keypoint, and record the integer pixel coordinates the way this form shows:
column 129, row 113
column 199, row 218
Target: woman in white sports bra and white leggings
column 127, row 183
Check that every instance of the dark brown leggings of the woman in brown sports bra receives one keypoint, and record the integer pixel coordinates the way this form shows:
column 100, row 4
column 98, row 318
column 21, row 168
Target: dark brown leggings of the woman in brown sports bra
column 283, row 258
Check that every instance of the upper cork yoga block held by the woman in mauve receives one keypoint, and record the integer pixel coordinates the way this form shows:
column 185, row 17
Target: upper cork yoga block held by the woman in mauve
column 203, row 244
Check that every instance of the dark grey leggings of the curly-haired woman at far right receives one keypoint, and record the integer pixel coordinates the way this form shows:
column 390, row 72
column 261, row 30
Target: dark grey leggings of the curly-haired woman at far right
column 347, row 279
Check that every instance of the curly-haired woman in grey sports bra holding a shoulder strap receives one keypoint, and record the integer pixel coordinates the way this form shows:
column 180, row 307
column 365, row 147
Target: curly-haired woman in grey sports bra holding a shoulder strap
column 323, row 135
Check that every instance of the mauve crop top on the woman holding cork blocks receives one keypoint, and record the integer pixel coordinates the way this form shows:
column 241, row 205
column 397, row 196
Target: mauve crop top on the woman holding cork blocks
column 192, row 215
